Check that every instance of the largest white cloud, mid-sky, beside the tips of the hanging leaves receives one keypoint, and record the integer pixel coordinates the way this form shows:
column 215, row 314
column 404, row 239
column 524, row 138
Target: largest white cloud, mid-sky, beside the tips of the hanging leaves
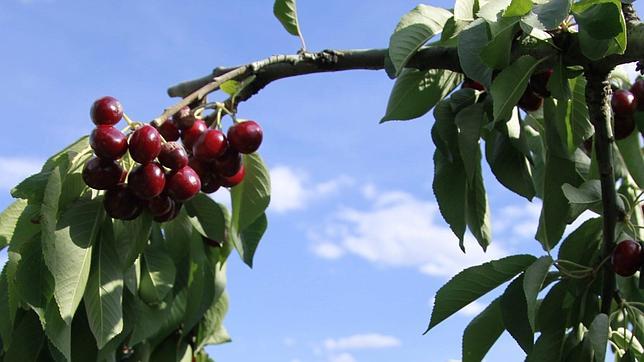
column 398, row 230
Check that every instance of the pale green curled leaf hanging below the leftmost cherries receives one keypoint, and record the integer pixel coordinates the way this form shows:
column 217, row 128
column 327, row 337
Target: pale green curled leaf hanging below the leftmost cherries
column 67, row 244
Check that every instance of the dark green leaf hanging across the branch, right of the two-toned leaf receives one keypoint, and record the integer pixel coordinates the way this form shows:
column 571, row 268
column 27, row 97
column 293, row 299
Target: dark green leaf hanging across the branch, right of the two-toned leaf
column 471, row 42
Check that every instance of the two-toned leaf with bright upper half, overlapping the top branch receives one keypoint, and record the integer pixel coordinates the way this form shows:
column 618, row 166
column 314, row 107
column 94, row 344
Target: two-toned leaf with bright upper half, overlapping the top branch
column 415, row 29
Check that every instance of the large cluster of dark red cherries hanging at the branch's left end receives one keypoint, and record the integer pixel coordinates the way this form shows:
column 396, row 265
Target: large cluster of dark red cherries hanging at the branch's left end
column 167, row 173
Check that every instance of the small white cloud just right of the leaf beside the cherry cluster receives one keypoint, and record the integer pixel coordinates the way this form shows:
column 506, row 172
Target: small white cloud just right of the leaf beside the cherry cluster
column 292, row 189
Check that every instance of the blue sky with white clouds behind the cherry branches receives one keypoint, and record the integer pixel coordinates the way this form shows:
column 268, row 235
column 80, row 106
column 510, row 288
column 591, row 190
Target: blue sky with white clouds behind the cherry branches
column 355, row 248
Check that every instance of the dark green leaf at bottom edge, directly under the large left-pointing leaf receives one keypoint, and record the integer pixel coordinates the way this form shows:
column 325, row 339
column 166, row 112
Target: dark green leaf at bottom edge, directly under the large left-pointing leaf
column 482, row 332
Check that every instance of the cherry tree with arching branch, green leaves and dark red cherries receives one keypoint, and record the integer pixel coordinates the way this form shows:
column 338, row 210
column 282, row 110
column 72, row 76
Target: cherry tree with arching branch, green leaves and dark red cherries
column 116, row 251
